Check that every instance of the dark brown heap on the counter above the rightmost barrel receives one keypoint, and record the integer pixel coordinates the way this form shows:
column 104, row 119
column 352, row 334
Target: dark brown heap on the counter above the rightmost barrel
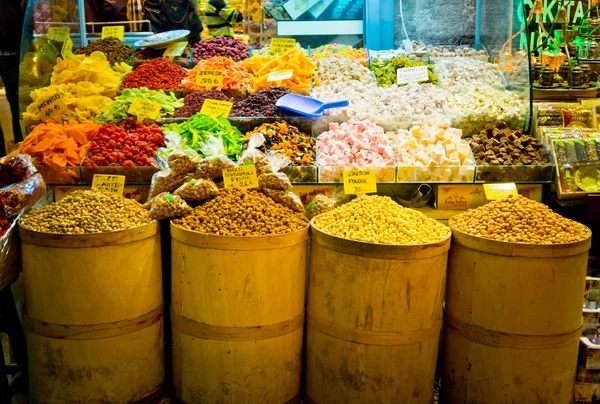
column 499, row 145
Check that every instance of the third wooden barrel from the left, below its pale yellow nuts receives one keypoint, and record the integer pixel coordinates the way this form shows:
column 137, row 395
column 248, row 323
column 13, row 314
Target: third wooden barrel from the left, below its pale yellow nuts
column 373, row 320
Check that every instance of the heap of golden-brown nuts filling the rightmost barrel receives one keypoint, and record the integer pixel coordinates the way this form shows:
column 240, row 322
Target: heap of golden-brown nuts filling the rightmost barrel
column 517, row 219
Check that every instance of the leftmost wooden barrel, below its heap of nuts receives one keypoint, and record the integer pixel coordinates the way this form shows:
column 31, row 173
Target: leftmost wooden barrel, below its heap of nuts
column 94, row 316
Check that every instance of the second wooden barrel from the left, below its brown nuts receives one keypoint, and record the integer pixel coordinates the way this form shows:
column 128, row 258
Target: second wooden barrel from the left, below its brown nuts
column 237, row 314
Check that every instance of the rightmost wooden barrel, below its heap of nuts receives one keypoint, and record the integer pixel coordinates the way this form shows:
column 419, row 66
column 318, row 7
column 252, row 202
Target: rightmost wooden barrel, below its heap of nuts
column 513, row 321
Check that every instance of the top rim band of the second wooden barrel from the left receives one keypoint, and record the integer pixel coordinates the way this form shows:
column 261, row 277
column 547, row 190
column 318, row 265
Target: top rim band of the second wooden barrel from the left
column 237, row 243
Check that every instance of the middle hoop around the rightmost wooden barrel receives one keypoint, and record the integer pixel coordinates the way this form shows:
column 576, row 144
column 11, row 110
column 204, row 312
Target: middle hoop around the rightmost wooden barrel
column 484, row 336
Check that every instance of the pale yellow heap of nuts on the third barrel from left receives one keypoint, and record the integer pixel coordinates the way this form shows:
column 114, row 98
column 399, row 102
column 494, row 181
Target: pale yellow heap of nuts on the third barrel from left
column 380, row 220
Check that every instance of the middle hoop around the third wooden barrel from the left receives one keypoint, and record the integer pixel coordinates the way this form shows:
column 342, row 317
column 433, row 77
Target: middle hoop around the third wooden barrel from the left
column 367, row 337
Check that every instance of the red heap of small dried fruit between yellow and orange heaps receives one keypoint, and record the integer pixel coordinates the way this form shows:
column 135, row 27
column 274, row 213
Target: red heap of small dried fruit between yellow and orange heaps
column 156, row 74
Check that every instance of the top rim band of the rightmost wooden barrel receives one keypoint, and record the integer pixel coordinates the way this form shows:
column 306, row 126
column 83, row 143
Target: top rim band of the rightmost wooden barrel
column 508, row 249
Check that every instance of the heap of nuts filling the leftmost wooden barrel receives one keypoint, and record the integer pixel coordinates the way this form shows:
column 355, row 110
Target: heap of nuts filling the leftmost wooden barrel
column 87, row 212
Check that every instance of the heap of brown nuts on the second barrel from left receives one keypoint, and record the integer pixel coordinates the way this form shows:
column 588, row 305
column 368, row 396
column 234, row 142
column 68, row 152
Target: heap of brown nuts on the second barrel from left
column 237, row 212
